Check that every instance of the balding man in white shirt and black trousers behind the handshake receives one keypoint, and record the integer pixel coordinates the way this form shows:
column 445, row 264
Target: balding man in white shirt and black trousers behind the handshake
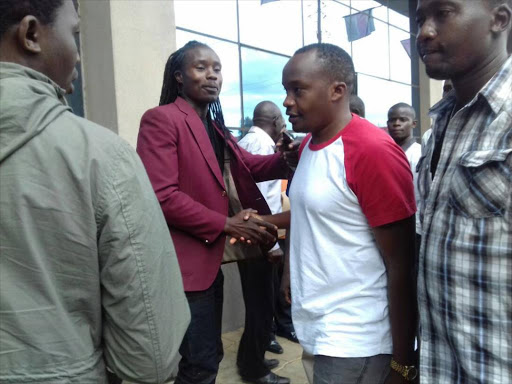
column 259, row 305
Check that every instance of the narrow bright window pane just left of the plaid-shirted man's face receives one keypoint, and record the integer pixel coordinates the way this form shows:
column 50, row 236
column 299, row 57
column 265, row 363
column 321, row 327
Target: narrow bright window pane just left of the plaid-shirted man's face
column 400, row 46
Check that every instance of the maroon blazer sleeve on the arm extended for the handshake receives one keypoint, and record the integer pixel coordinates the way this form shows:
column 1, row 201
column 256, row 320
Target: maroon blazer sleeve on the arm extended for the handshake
column 157, row 147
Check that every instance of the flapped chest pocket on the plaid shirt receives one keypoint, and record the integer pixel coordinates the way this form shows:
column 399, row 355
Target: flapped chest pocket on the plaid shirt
column 481, row 184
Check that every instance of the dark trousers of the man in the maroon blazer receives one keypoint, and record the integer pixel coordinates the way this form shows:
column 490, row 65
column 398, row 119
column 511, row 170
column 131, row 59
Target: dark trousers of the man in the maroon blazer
column 201, row 350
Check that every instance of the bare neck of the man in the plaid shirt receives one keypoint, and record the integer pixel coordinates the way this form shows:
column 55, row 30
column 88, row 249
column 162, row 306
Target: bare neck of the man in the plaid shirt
column 467, row 86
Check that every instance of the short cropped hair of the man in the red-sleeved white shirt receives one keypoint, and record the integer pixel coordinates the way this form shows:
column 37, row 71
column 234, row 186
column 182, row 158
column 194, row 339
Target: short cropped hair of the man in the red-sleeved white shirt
column 337, row 63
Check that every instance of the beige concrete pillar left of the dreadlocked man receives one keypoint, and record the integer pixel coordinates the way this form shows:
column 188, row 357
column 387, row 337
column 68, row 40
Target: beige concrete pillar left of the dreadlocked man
column 125, row 45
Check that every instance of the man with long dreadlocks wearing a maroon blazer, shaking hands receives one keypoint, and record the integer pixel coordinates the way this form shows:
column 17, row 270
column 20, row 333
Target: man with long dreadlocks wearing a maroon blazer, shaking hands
column 183, row 144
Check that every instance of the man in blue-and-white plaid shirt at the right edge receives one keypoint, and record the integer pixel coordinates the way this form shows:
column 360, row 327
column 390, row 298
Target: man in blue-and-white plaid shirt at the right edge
column 465, row 181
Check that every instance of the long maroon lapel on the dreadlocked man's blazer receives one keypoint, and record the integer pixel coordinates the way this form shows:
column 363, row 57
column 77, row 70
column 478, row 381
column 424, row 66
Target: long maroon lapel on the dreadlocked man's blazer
column 201, row 136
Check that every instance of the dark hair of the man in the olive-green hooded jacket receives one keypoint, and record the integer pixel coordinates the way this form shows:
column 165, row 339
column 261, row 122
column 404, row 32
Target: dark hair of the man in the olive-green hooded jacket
column 13, row 11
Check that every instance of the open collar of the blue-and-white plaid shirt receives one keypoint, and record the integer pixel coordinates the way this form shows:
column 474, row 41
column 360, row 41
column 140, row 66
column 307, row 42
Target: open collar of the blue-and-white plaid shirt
column 495, row 92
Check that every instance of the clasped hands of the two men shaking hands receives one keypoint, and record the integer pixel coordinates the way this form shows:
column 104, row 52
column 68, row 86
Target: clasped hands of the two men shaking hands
column 244, row 227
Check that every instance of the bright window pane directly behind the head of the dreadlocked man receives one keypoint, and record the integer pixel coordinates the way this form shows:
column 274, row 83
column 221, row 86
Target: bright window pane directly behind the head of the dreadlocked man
column 230, row 93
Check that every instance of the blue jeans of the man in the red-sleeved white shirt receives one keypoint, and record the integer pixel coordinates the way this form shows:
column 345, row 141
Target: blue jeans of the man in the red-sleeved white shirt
column 358, row 370
